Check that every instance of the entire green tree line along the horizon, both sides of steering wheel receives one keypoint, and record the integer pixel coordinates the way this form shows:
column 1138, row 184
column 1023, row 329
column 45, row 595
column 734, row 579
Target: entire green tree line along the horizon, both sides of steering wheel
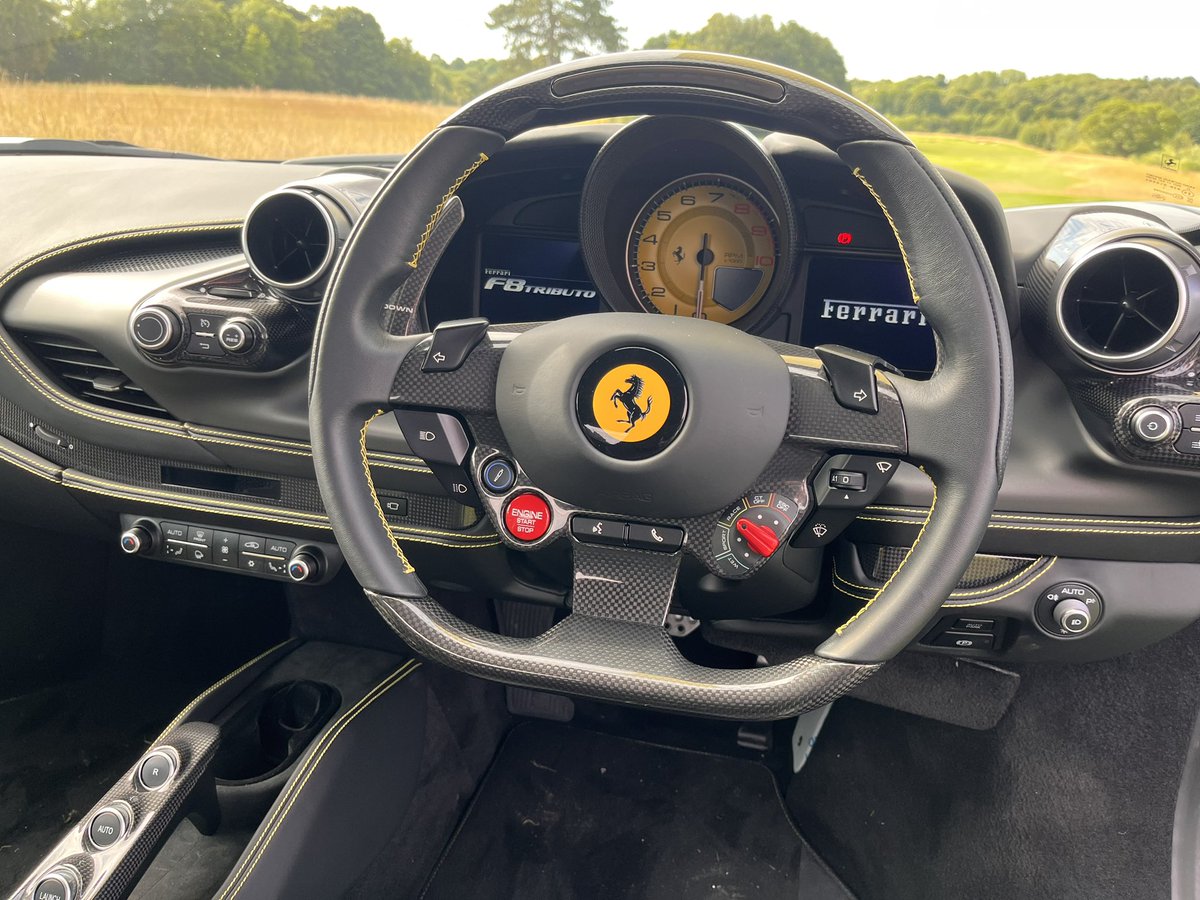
column 272, row 45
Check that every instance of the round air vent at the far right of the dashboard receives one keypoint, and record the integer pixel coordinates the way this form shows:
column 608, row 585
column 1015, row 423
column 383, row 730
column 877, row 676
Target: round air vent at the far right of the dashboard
column 1127, row 305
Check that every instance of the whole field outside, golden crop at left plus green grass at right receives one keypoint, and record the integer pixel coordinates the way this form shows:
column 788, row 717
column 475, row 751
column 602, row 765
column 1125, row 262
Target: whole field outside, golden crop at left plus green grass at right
column 279, row 125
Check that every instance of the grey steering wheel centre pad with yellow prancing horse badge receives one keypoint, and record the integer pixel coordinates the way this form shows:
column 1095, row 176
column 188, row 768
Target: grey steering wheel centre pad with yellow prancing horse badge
column 643, row 416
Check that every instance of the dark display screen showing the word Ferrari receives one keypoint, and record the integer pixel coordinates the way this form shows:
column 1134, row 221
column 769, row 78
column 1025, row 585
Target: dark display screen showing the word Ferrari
column 867, row 304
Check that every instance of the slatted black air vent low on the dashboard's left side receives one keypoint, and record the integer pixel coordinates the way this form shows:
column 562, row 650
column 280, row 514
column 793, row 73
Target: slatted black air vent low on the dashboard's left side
column 85, row 373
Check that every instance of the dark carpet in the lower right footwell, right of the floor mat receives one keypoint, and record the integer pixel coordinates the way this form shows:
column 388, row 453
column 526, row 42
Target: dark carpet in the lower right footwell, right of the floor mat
column 1071, row 797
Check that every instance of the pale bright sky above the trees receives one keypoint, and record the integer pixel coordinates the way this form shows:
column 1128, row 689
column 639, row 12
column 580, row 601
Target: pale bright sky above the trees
column 878, row 40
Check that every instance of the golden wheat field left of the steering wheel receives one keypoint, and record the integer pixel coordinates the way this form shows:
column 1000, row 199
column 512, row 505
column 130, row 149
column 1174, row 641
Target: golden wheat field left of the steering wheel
column 235, row 124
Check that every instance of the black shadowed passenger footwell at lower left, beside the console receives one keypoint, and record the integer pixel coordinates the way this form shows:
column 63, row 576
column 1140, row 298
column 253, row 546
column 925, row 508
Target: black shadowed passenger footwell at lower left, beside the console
column 167, row 633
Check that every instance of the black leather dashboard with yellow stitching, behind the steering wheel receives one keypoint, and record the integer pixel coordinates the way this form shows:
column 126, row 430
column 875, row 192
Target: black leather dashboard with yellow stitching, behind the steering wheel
column 86, row 241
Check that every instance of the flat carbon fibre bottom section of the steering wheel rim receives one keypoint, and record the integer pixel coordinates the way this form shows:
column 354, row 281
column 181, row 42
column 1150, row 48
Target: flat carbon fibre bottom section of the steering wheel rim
column 620, row 662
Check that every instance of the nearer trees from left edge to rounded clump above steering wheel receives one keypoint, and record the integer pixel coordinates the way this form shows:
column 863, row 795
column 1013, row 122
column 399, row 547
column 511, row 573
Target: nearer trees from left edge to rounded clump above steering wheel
column 272, row 45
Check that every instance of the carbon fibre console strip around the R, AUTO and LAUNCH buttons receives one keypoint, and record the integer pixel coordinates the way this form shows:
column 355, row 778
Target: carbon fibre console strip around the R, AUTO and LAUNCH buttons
column 110, row 874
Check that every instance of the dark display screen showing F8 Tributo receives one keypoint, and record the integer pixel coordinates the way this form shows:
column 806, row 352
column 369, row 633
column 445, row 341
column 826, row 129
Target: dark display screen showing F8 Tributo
column 525, row 279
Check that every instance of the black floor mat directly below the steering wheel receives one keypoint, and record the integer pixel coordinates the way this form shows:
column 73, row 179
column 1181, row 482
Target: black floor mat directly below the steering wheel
column 566, row 813
